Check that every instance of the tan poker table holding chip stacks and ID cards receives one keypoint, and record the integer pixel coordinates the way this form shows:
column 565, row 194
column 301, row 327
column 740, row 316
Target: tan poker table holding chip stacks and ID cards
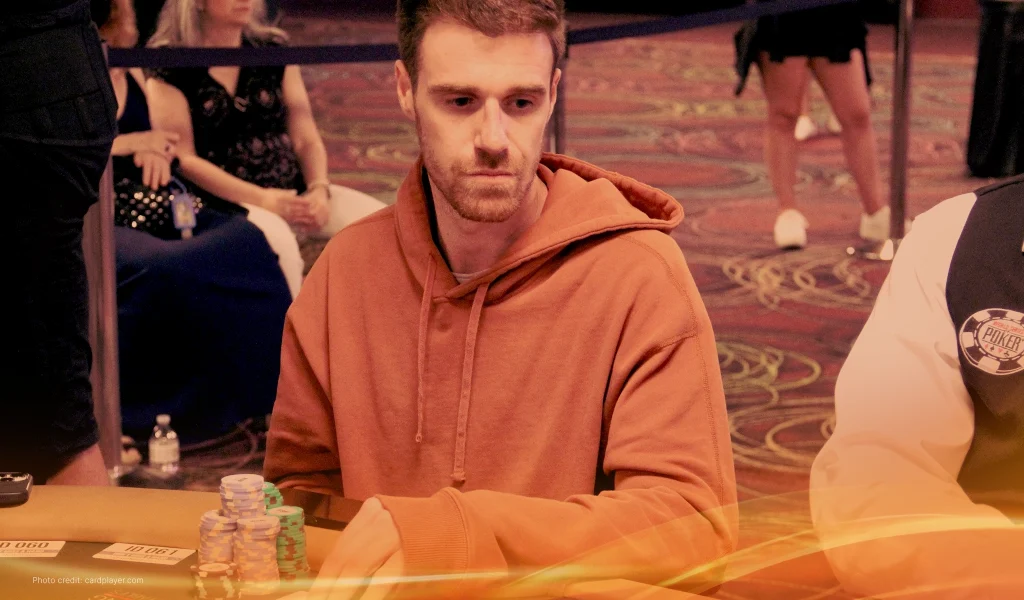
column 91, row 521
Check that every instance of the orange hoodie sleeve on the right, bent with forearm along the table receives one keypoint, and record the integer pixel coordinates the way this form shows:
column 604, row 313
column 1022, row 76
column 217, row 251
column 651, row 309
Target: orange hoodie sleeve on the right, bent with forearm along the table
column 673, row 509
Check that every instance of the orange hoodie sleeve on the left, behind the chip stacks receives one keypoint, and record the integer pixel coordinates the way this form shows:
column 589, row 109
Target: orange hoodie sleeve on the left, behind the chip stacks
column 303, row 446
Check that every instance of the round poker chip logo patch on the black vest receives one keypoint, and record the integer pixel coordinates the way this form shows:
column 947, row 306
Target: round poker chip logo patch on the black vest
column 993, row 340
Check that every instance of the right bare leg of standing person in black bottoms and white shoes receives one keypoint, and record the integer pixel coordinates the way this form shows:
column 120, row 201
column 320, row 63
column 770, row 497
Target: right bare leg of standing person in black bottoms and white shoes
column 846, row 90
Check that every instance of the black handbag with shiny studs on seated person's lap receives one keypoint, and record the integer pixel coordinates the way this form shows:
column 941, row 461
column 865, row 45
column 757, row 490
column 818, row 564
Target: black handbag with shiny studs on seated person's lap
column 140, row 207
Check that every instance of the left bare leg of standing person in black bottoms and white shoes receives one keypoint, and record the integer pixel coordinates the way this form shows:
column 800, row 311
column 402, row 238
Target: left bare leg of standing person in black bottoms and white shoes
column 785, row 84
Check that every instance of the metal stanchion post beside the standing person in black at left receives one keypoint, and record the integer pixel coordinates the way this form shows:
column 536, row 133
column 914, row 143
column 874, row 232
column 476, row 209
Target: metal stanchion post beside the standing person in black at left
column 98, row 247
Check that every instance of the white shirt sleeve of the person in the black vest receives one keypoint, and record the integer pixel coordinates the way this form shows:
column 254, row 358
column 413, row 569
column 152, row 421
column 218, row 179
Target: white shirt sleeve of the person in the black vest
column 885, row 499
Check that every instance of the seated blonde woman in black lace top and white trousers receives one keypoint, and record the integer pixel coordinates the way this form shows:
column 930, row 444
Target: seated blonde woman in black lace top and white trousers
column 248, row 135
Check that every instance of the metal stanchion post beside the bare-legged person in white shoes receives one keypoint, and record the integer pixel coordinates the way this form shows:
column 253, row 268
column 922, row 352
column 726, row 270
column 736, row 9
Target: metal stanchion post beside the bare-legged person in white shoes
column 901, row 137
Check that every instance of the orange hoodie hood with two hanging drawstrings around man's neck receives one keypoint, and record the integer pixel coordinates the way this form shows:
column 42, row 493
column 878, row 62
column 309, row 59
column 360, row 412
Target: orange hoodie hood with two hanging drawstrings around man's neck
column 583, row 202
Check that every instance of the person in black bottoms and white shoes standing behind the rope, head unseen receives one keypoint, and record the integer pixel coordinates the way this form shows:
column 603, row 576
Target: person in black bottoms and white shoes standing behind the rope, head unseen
column 832, row 41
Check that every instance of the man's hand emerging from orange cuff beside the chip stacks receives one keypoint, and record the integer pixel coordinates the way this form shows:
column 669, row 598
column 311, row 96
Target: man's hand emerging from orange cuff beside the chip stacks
column 367, row 555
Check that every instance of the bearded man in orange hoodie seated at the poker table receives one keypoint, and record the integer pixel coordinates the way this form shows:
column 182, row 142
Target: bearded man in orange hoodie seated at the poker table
column 513, row 365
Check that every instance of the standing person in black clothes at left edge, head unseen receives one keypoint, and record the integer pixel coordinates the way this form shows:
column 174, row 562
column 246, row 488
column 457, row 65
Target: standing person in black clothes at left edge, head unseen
column 58, row 115
